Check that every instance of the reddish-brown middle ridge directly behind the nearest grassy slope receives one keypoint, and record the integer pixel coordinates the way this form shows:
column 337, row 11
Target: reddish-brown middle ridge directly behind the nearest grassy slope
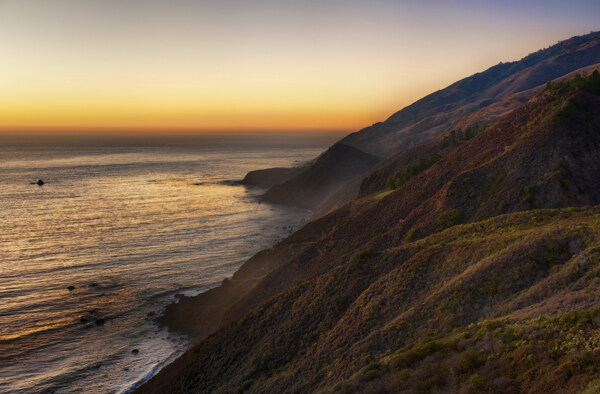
column 535, row 157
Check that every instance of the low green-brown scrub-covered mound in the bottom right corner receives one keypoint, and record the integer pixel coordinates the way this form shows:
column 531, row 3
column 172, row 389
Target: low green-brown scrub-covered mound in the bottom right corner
column 501, row 355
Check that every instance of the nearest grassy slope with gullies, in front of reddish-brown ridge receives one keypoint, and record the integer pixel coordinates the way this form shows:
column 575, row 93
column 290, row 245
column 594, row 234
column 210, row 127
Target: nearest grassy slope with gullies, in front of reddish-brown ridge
column 403, row 317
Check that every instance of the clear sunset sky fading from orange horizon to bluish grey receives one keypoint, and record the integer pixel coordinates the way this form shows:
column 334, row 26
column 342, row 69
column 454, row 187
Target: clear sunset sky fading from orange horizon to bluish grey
column 254, row 65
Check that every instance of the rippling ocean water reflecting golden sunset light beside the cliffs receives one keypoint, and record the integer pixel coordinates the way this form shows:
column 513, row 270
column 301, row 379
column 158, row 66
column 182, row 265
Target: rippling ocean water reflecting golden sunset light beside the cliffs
column 129, row 223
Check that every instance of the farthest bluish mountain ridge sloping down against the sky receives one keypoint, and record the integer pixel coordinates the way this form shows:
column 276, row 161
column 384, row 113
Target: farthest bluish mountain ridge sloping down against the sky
column 435, row 112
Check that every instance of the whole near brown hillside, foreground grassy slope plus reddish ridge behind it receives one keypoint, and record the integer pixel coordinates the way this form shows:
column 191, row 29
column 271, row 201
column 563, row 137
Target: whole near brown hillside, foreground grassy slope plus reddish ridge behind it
column 479, row 273
